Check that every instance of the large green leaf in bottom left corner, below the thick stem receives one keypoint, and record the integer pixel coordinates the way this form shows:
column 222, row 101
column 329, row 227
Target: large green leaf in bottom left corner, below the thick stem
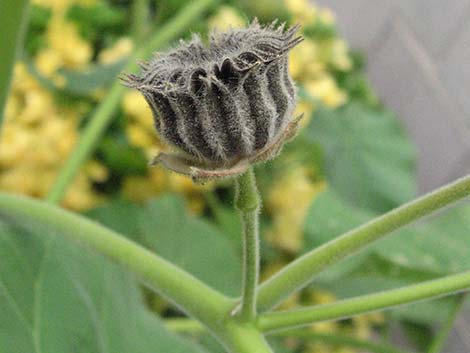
column 56, row 297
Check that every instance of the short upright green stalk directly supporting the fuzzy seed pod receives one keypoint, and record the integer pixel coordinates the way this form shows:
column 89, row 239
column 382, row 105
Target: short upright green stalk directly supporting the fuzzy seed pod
column 247, row 201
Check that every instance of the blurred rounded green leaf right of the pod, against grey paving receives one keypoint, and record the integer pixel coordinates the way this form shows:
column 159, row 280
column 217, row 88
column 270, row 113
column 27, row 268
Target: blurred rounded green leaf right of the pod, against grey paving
column 369, row 159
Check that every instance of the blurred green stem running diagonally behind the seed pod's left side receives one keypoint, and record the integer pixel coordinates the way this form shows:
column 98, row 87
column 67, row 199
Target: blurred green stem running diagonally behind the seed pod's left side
column 104, row 113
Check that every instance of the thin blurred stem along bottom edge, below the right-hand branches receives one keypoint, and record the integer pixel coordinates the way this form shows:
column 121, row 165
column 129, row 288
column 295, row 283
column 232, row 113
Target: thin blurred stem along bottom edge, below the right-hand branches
column 341, row 340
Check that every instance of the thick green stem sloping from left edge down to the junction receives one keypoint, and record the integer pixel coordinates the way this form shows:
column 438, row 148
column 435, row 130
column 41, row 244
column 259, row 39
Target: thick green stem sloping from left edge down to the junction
column 188, row 293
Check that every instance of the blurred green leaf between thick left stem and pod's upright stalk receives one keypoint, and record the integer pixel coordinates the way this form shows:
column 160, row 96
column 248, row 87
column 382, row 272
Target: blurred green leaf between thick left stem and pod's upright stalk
column 165, row 226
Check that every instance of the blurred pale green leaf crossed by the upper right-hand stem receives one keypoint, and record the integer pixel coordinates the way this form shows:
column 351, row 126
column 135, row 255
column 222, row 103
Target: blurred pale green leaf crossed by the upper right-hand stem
column 439, row 246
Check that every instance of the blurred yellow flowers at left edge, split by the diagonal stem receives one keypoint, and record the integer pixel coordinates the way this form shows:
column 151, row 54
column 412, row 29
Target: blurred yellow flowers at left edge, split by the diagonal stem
column 37, row 137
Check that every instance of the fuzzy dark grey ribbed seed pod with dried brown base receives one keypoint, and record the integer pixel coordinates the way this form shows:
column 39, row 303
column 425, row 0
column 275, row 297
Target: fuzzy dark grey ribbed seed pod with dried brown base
column 222, row 106
